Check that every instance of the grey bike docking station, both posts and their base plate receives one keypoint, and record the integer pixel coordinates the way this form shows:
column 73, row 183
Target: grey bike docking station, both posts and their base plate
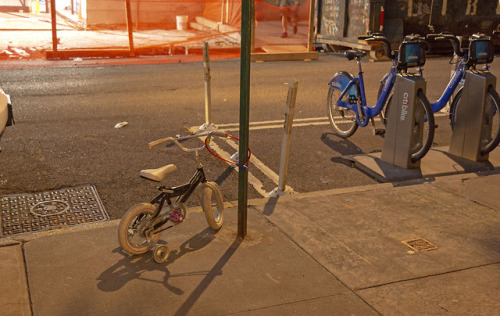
column 404, row 133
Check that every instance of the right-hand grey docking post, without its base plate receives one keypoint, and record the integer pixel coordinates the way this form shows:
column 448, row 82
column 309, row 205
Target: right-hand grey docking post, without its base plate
column 473, row 117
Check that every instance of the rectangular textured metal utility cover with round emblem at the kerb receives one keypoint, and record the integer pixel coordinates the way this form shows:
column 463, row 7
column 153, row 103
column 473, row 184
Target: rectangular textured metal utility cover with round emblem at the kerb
column 30, row 212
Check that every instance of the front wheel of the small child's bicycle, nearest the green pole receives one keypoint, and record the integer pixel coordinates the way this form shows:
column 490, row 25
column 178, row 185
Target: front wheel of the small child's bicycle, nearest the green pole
column 212, row 204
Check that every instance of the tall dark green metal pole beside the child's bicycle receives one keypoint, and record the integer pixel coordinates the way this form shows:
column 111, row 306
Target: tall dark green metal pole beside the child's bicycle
column 247, row 14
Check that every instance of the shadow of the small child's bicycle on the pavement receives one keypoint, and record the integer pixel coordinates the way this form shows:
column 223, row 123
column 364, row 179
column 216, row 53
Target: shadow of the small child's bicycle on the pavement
column 132, row 267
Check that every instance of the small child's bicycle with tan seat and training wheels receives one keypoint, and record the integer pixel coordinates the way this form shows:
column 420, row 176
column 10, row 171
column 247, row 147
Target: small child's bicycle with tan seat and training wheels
column 142, row 224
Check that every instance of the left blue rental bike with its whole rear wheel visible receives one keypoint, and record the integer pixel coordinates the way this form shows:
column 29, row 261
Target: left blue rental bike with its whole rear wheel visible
column 346, row 103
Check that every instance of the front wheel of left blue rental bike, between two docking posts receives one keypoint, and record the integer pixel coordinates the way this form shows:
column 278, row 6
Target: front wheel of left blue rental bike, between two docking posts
column 423, row 127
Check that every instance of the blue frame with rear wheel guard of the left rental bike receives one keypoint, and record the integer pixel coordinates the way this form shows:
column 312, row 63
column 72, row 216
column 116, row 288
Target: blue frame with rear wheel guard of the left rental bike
column 339, row 80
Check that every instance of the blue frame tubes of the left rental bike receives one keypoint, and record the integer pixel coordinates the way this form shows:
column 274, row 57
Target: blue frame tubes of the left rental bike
column 361, row 105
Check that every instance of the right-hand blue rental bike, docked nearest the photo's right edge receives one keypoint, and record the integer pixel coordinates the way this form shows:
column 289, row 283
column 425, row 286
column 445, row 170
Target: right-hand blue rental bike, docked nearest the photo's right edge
column 480, row 51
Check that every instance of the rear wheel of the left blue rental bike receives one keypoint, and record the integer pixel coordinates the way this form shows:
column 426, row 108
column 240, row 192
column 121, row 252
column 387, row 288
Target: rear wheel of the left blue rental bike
column 343, row 120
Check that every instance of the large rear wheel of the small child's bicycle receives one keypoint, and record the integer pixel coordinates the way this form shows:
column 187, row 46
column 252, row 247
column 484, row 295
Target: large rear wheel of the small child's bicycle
column 133, row 229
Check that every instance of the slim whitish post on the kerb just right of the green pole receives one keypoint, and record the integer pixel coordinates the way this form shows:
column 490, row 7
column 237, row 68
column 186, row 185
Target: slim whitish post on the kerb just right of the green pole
column 285, row 146
